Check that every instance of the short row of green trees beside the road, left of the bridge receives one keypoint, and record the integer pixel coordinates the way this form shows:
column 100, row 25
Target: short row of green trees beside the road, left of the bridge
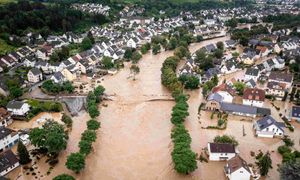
column 54, row 88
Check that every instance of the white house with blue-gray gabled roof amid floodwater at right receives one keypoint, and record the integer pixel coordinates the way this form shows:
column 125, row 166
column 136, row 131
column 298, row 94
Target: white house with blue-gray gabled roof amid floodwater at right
column 269, row 127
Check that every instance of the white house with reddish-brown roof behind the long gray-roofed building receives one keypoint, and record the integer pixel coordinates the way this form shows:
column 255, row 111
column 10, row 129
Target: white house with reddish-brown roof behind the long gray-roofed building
column 254, row 97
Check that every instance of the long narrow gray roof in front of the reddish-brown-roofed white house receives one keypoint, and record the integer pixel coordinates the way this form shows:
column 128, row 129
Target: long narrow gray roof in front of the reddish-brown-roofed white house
column 239, row 108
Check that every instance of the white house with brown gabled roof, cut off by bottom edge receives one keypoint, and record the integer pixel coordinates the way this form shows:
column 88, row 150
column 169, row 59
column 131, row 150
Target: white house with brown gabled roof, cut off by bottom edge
column 237, row 168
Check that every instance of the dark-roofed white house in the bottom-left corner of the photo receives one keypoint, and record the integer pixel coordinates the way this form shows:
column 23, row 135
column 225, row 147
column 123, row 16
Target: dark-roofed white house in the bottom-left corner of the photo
column 8, row 162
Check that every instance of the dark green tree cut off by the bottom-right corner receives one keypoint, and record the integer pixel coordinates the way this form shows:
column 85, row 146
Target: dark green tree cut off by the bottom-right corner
column 290, row 170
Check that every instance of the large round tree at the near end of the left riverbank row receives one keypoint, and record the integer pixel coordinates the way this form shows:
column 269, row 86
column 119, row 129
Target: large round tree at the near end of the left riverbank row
column 75, row 162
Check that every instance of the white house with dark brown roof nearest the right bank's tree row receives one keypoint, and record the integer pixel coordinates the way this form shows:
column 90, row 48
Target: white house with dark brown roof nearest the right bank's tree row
column 220, row 151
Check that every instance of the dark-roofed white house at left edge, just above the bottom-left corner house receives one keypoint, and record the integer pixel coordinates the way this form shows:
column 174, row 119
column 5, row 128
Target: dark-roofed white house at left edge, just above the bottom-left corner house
column 8, row 138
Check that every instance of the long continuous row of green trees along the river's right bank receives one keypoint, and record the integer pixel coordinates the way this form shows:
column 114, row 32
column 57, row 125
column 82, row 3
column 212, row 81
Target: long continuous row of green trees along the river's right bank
column 182, row 155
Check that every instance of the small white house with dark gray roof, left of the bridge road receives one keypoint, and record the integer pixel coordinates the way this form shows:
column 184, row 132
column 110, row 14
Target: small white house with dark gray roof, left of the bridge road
column 18, row 108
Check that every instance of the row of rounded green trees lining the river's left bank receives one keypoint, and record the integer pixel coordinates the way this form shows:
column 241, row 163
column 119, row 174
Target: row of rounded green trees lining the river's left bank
column 76, row 161
